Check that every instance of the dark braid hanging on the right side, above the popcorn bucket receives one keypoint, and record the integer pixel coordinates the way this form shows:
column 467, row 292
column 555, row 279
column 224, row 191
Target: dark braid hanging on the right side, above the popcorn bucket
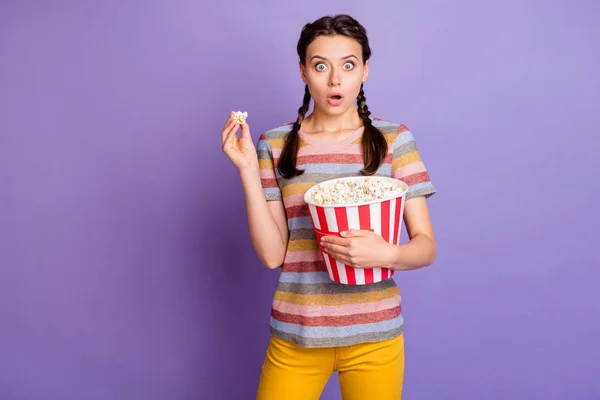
column 374, row 144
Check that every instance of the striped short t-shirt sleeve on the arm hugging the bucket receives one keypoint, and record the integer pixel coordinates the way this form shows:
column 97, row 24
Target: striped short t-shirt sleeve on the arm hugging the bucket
column 408, row 166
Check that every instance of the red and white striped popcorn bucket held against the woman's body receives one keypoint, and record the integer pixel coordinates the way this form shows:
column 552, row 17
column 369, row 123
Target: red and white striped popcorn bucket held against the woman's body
column 382, row 217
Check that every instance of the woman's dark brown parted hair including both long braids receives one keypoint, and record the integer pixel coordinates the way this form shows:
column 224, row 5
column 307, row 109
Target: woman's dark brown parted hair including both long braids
column 374, row 145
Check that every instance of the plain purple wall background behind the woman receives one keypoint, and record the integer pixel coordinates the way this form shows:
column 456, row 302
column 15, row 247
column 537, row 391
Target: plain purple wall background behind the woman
column 127, row 274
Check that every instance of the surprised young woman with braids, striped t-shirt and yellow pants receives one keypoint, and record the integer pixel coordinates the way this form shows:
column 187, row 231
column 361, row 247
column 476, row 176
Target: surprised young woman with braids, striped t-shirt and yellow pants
column 319, row 326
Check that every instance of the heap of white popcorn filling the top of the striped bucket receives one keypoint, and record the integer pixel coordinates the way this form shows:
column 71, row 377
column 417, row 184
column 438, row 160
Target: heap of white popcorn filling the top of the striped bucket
column 353, row 192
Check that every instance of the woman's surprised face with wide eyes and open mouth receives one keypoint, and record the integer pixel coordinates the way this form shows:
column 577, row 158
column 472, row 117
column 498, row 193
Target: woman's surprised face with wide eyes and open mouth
column 334, row 72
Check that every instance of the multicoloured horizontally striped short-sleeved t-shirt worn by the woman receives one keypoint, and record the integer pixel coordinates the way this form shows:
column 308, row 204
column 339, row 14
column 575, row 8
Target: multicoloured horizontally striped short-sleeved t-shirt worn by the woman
column 310, row 309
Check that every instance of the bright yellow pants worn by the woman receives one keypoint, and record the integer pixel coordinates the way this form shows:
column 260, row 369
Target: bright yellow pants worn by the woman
column 365, row 371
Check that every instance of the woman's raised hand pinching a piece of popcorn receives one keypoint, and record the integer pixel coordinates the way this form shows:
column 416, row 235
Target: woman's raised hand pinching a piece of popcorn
column 241, row 151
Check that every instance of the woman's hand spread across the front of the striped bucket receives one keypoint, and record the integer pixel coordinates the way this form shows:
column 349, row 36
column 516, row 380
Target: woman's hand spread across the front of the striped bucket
column 359, row 248
